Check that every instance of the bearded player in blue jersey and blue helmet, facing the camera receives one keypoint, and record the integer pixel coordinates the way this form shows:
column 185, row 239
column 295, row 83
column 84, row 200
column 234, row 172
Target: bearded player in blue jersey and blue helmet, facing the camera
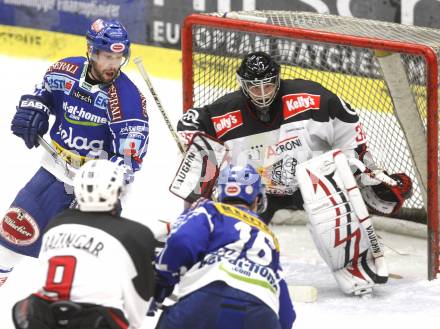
column 99, row 113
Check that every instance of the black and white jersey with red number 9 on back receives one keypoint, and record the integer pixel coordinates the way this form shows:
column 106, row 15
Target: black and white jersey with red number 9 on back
column 100, row 259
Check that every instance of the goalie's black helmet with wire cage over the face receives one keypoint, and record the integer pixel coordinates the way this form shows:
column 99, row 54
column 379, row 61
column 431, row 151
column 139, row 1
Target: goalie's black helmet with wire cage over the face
column 259, row 78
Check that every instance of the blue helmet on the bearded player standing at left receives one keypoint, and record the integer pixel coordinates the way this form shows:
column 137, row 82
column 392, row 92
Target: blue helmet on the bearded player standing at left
column 108, row 35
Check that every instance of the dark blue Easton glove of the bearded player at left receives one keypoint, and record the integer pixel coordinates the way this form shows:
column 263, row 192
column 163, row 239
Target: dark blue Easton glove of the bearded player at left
column 30, row 120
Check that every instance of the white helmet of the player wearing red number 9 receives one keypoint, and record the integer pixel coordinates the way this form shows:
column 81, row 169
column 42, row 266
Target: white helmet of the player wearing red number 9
column 98, row 185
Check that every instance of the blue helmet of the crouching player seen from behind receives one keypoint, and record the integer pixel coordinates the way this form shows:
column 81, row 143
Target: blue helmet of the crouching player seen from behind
column 242, row 184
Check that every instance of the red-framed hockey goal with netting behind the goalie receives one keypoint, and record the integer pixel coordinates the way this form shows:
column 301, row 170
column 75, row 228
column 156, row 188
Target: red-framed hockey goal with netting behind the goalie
column 388, row 72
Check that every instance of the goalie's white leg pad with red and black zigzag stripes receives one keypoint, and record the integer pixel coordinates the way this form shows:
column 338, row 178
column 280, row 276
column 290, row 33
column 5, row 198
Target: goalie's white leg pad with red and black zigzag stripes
column 339, row 223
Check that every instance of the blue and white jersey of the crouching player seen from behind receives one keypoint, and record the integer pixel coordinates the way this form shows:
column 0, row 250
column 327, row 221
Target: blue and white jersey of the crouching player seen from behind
column 221, row 242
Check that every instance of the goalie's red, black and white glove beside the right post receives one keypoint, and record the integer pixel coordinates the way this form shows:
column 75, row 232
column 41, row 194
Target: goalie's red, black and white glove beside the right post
column 383, row 193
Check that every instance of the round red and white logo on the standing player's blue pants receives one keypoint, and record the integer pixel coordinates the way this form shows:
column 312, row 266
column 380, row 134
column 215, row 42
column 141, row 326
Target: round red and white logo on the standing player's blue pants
column 19, row 228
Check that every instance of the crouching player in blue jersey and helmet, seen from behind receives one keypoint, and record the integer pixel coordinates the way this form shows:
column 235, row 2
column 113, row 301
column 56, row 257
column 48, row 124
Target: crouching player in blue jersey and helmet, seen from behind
column 225, row 262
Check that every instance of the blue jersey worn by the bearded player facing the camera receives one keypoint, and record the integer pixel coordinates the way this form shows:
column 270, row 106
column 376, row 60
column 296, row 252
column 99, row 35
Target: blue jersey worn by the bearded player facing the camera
column 107, row 120
